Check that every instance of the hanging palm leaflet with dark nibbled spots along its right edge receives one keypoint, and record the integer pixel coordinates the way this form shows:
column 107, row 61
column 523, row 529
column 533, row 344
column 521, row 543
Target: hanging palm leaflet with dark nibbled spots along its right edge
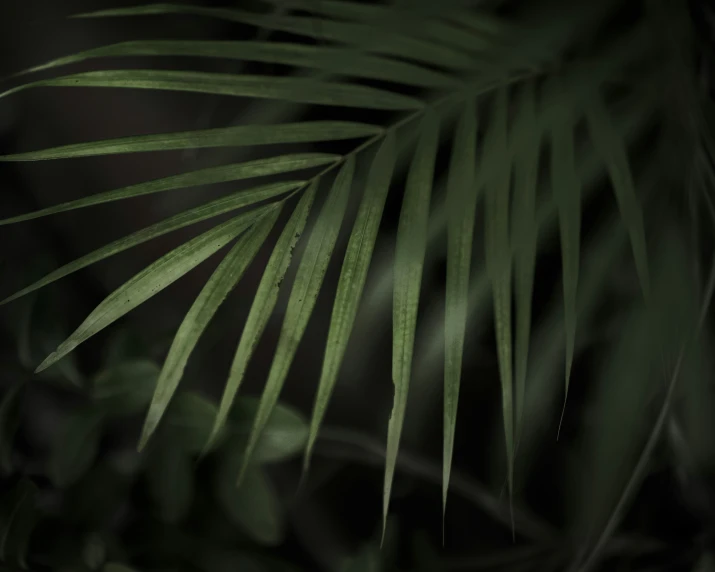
column 263, row 303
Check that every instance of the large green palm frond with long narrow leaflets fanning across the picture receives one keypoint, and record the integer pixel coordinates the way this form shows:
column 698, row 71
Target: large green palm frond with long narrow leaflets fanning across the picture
column 452, row 62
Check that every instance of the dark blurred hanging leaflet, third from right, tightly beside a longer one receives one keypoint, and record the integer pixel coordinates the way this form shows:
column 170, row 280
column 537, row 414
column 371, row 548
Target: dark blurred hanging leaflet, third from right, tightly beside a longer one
column 524, row 233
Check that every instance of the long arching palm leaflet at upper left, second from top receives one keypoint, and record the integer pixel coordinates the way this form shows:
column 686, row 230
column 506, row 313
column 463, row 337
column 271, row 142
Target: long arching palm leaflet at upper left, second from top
column 340, row 61
